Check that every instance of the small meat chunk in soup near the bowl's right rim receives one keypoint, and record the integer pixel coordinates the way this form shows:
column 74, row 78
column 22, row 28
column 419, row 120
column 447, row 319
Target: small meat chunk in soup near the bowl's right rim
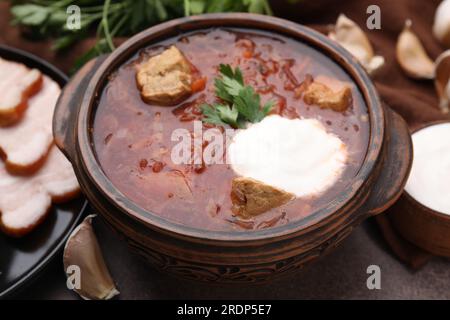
column 325, row 97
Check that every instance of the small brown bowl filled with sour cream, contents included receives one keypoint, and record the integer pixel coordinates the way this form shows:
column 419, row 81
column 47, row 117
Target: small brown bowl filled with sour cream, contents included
column 422, row 215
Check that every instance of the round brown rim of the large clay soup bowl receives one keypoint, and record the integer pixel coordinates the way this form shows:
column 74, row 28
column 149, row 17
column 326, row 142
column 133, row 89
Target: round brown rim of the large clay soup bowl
column 249, row 21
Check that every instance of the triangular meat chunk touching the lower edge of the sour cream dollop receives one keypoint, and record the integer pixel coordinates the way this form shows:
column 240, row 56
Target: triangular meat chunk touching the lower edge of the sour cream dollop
column 251, row 197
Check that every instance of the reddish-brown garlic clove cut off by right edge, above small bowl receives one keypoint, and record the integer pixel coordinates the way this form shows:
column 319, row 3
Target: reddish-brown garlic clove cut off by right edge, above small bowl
column 442, row 80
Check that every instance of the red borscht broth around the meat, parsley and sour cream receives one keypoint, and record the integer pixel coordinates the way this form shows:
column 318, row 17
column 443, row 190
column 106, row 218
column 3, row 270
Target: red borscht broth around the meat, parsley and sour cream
column 133, row 143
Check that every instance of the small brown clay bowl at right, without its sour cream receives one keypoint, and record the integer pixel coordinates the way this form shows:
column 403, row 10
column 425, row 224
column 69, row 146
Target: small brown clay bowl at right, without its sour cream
column 422, row 226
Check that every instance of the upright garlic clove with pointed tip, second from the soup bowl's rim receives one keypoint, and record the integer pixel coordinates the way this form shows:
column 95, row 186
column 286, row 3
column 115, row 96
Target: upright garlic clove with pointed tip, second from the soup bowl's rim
column 412, row 56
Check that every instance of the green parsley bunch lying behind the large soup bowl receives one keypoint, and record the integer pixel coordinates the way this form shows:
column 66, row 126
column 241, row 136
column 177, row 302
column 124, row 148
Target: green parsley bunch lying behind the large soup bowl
column 114, row 18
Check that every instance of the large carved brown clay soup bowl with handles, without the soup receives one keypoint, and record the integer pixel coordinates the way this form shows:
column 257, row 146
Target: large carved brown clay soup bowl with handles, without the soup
column 231, row 257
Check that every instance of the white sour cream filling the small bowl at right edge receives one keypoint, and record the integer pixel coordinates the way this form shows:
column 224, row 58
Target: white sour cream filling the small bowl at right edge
column 429, row 181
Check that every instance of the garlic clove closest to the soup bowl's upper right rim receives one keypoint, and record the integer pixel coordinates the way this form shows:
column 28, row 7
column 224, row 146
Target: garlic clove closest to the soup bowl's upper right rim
column 349, row 35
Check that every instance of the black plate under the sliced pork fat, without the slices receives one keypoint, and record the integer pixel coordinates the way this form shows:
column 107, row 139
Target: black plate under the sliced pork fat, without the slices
column 21, row 260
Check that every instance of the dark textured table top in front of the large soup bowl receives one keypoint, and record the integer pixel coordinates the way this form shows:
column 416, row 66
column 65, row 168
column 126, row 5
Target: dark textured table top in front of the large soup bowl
column 340, row 275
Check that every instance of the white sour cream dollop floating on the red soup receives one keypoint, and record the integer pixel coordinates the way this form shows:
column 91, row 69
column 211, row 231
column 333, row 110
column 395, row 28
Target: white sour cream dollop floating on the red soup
column 296, row 155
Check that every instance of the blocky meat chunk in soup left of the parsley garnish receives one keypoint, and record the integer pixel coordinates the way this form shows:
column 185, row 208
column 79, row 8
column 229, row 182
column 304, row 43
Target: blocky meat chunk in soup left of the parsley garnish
column 165, row 78
